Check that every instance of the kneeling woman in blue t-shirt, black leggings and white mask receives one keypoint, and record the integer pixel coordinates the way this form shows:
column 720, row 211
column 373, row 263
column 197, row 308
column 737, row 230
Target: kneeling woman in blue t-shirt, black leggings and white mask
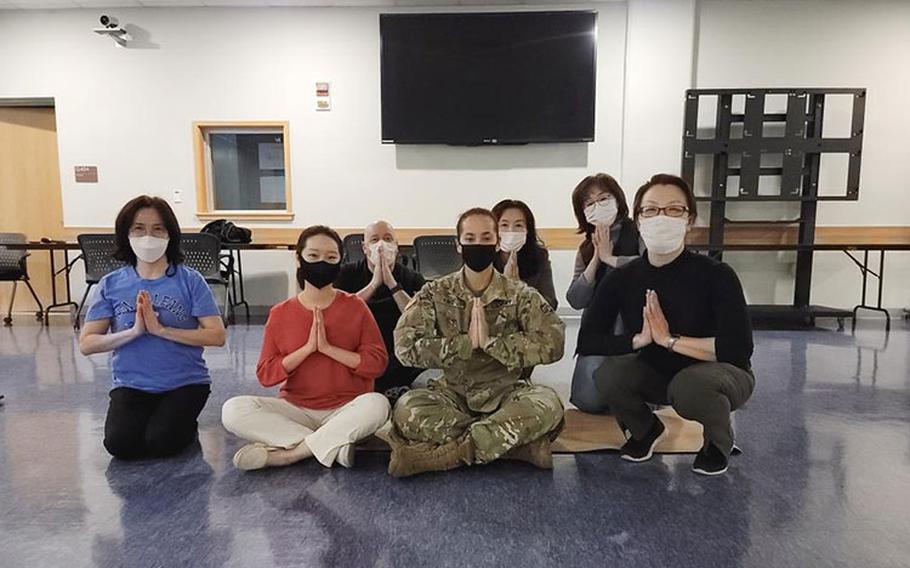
column 156, row 315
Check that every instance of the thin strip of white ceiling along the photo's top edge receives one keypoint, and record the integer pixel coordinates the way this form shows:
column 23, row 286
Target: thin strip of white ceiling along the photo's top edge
column 67, row 4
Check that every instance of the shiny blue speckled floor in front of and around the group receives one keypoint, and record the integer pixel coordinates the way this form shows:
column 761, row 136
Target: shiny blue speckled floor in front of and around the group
column 824, row 481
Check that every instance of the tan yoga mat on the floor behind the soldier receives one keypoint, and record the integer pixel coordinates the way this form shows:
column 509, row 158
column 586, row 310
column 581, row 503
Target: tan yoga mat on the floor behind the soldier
column 591, row 432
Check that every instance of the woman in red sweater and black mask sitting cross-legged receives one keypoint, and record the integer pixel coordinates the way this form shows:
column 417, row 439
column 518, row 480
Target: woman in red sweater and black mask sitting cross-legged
column 325, row 350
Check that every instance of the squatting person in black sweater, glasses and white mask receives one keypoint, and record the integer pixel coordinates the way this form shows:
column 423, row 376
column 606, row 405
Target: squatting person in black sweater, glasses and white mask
column 687, row 339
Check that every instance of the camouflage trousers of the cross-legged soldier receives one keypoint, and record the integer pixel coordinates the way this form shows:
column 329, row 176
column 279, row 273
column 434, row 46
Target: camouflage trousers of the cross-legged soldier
column 439, row 415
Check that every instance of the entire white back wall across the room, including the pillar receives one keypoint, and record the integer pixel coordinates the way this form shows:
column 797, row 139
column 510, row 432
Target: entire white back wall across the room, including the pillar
column 129, row 111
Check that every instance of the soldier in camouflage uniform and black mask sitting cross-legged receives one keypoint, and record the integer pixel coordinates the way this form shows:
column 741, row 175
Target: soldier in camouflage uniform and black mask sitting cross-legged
column 480, row 409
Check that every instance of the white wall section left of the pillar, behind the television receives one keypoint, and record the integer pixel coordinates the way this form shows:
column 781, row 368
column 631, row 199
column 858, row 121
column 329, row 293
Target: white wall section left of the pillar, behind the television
column 129, row 111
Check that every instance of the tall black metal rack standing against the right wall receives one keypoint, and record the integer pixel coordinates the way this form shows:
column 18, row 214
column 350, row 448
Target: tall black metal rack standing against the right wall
column 799, row 151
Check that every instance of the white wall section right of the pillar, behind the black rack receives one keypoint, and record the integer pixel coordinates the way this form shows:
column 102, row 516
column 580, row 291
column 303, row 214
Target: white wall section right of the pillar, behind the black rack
column 823, row 44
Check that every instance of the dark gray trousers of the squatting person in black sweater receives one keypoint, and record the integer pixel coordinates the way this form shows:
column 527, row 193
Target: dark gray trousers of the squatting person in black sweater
column 703, row 392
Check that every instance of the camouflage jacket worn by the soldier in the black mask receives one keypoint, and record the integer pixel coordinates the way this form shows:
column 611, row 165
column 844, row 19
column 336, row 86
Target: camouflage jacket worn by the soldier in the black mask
column 524, row 331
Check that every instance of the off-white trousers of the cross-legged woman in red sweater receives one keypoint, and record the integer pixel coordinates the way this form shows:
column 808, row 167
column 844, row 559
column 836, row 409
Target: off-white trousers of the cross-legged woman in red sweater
column 278, row 423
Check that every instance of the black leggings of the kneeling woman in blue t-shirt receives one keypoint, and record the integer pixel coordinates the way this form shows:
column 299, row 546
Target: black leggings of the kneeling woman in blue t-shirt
column 141, row 424
